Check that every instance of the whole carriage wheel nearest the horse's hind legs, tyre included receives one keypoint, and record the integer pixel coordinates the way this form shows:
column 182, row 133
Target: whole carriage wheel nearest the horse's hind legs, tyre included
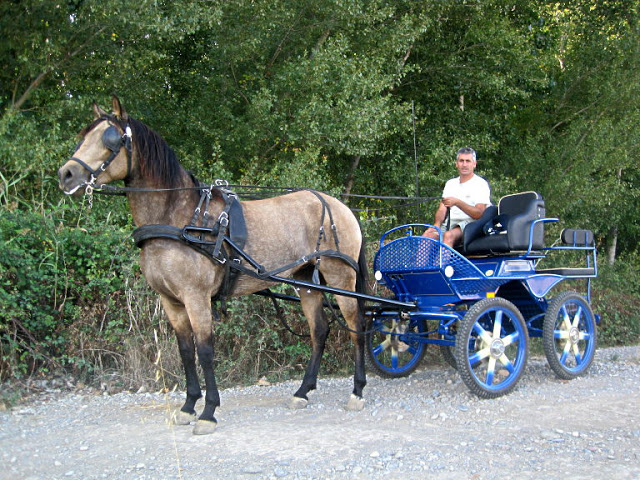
column 392, row 355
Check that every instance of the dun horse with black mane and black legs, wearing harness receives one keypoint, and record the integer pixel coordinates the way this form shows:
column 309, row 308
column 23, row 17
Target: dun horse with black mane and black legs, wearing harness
column 291, row 230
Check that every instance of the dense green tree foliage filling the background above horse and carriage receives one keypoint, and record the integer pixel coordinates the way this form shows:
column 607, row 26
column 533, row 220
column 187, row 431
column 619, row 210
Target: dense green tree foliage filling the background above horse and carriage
column 320, row 94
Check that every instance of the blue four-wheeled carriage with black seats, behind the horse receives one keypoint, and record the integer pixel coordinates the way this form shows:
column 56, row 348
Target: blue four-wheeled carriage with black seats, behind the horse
column 482, row 302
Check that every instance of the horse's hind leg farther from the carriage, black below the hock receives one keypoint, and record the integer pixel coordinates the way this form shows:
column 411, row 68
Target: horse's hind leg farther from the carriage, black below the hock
column 319, row 329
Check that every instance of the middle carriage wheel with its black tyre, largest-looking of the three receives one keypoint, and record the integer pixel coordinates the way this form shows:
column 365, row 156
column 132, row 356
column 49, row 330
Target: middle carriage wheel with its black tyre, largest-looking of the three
column 492, row 347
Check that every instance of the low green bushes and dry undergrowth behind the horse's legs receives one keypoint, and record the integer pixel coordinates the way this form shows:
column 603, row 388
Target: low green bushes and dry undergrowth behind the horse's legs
column 74, row 299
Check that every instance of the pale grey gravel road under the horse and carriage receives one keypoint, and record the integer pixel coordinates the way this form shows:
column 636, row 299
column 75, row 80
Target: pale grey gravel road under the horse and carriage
column 425, row 426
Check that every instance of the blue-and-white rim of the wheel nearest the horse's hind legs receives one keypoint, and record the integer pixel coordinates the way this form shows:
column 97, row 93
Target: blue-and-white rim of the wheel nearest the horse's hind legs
column 393, row 353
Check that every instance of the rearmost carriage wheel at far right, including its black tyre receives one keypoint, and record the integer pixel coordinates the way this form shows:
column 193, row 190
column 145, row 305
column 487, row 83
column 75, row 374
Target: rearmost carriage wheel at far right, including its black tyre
column 569, row 335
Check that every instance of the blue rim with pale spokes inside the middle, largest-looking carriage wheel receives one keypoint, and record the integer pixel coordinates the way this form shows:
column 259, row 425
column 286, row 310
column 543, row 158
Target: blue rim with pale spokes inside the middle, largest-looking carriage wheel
column 497, row 351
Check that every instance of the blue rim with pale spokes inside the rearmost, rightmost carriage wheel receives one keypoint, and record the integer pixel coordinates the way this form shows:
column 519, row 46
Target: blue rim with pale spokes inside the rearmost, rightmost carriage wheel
column 574, row 335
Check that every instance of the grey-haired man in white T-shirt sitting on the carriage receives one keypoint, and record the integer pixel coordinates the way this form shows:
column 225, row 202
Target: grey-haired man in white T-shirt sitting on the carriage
column 466, row 196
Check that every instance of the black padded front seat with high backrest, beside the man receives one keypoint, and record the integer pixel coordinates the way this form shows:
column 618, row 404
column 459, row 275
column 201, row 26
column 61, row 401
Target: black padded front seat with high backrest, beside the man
column 506, row 228
